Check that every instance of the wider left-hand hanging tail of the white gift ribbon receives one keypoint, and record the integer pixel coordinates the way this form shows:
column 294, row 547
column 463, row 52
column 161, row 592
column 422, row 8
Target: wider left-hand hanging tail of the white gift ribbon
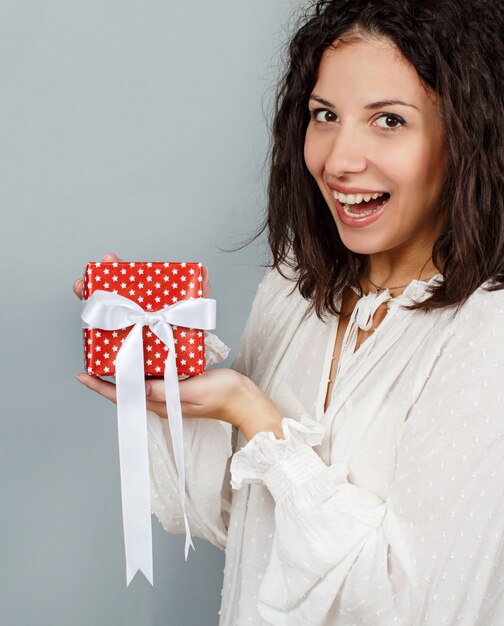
column 134, row 456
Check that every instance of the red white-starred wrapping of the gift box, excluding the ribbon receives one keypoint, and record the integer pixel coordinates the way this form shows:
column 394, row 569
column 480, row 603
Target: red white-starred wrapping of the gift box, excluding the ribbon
column 152, row 286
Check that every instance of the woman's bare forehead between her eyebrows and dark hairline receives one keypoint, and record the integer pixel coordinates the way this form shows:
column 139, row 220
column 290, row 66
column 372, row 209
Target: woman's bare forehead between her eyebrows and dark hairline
column 372, row 68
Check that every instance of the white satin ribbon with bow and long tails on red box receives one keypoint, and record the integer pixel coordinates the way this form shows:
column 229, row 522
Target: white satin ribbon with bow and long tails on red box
column 110, row 311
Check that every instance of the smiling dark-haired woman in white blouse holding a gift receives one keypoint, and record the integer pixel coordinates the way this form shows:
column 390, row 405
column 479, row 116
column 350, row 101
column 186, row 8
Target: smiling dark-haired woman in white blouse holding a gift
column 367, row 392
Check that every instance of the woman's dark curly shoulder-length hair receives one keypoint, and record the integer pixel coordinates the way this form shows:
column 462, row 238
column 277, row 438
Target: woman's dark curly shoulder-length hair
column 456, row 47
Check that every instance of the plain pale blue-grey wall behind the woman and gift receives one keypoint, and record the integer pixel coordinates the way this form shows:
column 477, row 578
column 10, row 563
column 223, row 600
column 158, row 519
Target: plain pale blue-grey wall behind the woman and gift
column 136, row 127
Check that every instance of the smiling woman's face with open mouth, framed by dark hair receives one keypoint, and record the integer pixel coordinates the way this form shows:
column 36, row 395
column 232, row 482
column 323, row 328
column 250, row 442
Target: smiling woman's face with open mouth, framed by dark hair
column 375, row 129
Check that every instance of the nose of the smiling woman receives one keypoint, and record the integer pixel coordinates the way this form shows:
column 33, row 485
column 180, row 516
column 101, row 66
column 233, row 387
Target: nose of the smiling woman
column 346, row 154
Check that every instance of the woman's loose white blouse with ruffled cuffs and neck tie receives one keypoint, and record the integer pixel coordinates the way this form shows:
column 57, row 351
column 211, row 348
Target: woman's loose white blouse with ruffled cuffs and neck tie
column 385, row 509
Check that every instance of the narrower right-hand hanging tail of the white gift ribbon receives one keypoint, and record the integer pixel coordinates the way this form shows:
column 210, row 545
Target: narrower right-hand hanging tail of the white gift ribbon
column 175, row 424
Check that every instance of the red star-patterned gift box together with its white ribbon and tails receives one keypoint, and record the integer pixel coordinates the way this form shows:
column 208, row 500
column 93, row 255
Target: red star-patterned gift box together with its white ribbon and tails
column 145, row 319
